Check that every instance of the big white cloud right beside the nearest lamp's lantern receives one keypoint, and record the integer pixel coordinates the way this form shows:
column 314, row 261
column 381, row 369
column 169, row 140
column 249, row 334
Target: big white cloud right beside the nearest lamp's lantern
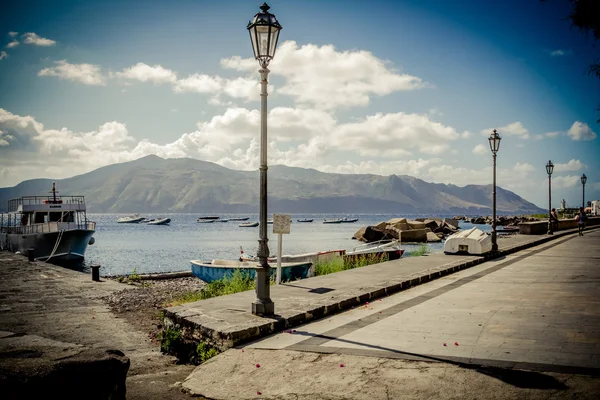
column 325, row 78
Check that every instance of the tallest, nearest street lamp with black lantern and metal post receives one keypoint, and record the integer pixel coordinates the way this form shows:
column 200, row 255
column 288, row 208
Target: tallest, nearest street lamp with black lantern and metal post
column 264, row 33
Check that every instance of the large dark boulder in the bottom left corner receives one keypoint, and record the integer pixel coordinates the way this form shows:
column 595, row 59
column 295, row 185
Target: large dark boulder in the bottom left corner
column 34, row 367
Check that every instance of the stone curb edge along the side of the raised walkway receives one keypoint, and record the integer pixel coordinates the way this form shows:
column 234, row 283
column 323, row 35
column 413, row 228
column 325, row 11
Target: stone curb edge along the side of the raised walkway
column 223, row 340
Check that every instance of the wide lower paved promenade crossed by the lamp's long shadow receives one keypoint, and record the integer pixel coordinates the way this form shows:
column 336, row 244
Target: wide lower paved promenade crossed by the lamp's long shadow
column 526, row 325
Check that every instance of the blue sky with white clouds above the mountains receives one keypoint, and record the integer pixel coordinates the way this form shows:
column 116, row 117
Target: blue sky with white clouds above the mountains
column 381, row 87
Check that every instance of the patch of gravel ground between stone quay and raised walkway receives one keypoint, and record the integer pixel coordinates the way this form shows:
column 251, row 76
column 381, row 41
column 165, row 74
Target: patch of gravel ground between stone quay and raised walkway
column 141, row 304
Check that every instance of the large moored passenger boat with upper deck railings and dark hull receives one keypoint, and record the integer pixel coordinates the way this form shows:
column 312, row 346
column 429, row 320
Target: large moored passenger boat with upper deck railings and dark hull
column 56, row 228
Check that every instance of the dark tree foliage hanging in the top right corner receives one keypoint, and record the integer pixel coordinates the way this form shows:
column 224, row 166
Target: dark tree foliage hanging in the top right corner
column 585, row 15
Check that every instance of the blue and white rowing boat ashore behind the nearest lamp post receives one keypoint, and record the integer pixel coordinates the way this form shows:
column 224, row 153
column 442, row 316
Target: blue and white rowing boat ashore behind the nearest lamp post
column 219, row 269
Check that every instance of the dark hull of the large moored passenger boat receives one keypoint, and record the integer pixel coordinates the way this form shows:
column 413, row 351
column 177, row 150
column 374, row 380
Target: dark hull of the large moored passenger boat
column 71, row 247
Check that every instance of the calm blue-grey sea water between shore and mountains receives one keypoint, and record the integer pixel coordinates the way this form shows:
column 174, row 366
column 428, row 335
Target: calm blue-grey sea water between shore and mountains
column 121, row 248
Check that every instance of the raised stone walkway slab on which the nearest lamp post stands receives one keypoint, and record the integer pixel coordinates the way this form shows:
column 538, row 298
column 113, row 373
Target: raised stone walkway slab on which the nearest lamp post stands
column 227, row 321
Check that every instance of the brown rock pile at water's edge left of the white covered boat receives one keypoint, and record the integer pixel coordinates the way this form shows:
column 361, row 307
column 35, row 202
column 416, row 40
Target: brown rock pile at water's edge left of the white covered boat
column 420, row 230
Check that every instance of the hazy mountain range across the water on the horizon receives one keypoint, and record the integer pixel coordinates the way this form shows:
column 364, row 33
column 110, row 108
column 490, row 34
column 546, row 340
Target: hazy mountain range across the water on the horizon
column 152, row 185
